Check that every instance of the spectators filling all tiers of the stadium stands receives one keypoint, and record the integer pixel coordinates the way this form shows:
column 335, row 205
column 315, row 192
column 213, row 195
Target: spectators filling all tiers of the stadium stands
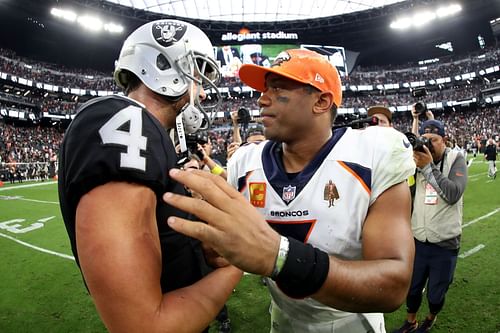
column 468, row 128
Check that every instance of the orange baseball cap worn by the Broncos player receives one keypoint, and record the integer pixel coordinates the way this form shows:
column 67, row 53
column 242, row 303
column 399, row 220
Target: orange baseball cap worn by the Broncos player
column 300, row 65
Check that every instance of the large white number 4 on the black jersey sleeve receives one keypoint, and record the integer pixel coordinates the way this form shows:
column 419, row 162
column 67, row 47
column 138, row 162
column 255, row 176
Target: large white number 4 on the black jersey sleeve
column 133, row 139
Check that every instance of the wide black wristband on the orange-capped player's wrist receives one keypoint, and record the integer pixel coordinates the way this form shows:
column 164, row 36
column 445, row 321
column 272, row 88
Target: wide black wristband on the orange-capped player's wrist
column 305, row 270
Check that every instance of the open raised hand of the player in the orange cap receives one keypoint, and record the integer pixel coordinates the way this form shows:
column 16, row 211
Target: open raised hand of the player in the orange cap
column 234, row 229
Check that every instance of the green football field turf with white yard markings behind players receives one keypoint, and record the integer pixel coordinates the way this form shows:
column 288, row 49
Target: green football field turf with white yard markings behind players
column 42, row 290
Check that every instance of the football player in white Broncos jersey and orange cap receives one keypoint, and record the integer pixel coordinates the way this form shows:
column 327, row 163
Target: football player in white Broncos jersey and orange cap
column 325, row 215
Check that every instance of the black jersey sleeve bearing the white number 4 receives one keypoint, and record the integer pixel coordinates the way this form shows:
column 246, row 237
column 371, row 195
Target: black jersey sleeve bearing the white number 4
column 115, row 140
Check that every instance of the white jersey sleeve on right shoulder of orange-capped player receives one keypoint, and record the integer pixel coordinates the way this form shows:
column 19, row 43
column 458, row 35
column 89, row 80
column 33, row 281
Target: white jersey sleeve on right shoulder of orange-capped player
column 392, row 160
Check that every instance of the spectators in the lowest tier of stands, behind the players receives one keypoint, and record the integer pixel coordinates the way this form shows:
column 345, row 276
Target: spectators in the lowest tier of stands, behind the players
column 467, row 129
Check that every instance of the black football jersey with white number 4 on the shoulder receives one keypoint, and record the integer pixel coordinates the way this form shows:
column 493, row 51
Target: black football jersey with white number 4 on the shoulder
column 114, row 138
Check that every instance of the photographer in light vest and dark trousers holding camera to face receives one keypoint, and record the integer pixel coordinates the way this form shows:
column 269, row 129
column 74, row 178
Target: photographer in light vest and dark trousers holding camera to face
column 436, row 222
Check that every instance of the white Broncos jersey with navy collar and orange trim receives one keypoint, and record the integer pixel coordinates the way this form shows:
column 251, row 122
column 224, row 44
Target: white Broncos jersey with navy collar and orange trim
column 325, row 204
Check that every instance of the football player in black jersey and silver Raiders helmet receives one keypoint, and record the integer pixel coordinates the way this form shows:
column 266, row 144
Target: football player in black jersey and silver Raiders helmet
column 114, row 162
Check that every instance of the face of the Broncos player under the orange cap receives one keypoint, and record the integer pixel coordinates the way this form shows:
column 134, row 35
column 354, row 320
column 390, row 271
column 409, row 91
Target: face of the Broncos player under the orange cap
column 286, row 109
